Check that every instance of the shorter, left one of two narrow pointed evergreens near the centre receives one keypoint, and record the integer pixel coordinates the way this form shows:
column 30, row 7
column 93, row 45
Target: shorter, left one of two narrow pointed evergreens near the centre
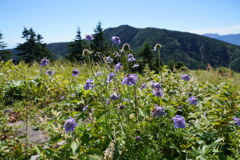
column 76, row 48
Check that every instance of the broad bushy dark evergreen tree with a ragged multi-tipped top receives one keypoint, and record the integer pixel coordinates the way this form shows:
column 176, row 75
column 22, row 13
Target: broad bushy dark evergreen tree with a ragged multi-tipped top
column 33, row 48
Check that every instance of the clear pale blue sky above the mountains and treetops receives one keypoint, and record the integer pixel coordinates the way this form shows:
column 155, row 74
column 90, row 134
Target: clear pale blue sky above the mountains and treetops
column 57, row 20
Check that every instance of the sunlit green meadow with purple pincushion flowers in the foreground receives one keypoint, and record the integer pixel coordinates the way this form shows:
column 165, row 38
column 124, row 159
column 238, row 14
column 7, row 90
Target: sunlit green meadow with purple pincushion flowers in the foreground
column 110, row 111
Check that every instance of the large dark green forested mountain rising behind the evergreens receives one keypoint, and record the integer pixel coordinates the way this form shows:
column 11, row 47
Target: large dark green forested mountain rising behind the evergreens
column 195, row 51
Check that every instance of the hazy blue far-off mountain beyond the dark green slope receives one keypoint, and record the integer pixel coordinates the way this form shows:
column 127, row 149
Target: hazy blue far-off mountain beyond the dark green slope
column 229, row 38
